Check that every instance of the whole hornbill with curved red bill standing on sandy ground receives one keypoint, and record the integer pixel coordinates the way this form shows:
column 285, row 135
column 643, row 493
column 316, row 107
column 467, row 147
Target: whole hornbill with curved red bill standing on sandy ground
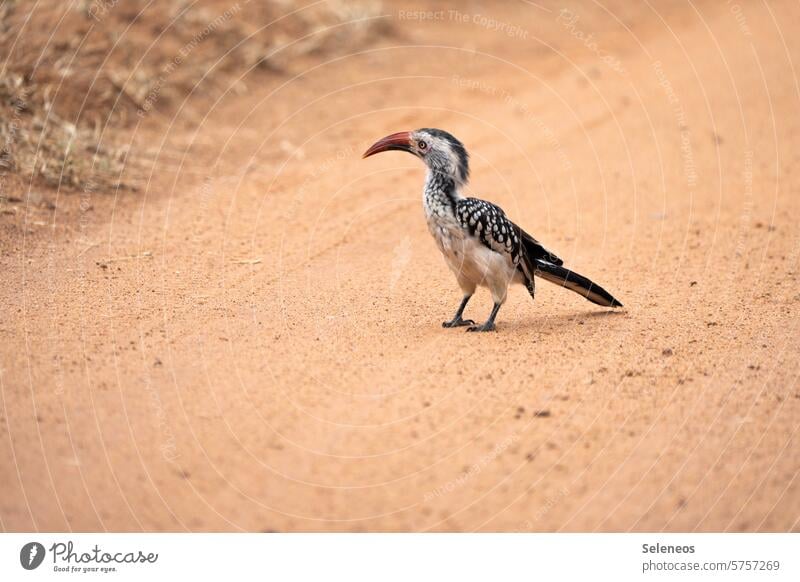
column 479, row 243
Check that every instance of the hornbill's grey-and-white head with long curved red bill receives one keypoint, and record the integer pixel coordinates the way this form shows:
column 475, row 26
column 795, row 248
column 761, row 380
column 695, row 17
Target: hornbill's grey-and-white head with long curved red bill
column 440, row 151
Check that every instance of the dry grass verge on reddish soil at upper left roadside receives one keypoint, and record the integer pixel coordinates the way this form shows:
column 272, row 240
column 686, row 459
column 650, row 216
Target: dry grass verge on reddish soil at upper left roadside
column 73, row 74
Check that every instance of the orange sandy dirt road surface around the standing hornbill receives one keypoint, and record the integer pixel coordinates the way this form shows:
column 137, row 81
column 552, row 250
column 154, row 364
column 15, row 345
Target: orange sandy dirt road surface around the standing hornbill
column 254, row 342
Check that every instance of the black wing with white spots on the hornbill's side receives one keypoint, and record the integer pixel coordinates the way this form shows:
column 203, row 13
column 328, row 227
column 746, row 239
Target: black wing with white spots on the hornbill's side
column 490, row 224
